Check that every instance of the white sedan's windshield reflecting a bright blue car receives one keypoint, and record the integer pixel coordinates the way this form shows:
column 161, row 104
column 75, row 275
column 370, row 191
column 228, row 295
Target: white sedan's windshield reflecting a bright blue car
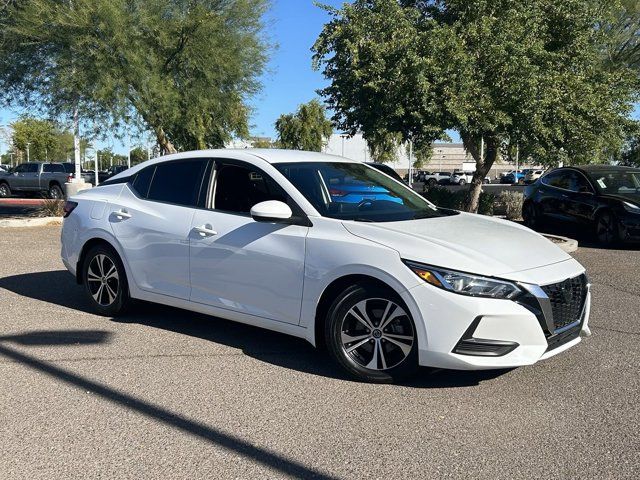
column 354, row 191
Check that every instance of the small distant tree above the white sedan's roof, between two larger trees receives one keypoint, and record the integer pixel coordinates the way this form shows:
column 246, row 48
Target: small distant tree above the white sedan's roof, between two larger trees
column 307, row 129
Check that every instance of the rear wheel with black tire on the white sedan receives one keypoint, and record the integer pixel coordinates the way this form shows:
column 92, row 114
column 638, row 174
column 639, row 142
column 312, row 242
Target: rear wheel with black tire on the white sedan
column 105, row 281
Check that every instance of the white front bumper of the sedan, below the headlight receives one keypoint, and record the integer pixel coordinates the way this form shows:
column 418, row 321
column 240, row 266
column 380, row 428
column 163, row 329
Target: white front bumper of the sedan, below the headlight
column 473, row 333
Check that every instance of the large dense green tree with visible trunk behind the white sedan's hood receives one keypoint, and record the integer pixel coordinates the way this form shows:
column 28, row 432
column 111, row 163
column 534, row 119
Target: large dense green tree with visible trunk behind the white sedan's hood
column 526, row 72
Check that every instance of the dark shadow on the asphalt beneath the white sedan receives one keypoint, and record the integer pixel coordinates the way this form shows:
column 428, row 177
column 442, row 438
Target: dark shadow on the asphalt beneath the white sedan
column 59, row 288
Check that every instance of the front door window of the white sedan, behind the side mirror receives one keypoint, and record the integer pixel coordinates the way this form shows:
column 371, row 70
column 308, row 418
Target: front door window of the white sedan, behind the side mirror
column 239, row 188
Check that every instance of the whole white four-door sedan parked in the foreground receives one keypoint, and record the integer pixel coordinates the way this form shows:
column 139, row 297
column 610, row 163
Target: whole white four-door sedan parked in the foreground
column 254, row 236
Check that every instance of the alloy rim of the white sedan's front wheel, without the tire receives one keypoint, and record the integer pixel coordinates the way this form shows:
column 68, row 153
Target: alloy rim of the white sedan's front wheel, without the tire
column 377, row 334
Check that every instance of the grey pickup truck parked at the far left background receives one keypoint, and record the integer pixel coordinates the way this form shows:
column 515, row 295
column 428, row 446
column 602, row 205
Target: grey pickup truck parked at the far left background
column 41, row 177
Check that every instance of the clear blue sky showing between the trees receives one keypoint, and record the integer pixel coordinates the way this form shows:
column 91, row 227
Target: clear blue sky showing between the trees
column 293, row 25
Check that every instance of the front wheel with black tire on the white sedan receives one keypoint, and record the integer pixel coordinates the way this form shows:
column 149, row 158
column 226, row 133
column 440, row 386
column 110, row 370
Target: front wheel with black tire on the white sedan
column 370, row 334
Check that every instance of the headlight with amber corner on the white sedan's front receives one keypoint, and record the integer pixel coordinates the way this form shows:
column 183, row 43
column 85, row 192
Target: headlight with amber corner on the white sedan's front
column 464, row 283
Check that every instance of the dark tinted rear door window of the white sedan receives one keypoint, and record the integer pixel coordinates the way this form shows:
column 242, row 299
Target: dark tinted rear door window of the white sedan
column 178, row 182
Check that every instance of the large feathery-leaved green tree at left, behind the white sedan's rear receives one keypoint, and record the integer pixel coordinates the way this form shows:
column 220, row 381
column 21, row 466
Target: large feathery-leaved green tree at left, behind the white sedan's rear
column 183, row 69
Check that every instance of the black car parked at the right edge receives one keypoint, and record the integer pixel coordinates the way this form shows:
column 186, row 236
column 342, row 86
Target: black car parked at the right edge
column 604, row 198
